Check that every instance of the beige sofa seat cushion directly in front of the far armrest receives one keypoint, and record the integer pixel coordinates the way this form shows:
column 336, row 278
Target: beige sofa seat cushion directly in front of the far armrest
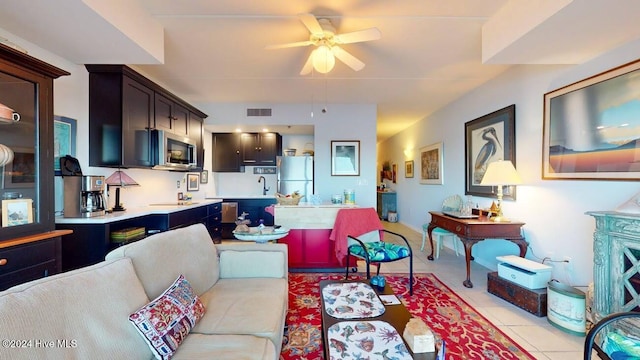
column 252, row 306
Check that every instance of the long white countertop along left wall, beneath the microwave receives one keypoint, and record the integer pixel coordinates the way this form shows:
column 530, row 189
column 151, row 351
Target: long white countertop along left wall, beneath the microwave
column 136, row 212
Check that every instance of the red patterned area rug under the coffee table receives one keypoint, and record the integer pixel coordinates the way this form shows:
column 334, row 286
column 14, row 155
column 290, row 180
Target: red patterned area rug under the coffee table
column 467, row 334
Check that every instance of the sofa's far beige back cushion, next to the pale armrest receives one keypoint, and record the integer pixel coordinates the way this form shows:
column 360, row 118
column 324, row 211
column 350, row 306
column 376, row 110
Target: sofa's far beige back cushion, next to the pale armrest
column 159, row 259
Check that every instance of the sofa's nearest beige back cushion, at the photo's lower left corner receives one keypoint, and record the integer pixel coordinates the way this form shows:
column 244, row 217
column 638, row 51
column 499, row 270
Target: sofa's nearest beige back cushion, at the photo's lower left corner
column 81, row 314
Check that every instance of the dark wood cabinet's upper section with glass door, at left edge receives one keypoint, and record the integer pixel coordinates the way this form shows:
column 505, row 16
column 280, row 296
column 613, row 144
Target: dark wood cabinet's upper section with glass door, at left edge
column 26, row 144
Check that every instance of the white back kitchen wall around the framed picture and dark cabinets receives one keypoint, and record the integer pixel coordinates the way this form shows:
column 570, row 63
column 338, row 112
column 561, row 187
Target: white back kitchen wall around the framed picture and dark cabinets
column 340, row 122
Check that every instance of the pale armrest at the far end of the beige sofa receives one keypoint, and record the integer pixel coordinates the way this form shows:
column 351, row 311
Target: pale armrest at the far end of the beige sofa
column 253, row 260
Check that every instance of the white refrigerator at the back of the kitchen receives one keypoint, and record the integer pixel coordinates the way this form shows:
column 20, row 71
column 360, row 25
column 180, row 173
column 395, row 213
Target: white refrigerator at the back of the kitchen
column 295, row 173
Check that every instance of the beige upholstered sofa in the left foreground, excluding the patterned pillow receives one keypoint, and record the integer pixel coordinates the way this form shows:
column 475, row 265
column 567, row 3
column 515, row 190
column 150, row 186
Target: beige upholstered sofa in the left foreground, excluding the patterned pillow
column 83, row 314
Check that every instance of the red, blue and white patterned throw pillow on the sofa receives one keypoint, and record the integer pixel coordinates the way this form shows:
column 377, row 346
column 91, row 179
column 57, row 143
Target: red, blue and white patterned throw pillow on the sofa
column 166, row 321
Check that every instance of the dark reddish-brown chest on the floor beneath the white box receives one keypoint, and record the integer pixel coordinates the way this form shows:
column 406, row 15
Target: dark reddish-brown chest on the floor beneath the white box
column 533, row 301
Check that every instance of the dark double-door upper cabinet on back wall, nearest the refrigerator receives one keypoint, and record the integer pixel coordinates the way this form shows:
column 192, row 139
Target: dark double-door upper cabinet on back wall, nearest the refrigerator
column 261, row 148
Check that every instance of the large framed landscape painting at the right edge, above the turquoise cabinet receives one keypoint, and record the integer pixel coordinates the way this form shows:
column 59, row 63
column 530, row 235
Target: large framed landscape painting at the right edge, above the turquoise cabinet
column 591, row 127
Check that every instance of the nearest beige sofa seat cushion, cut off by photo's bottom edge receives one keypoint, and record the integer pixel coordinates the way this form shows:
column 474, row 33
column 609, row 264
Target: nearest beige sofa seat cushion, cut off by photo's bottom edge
column 226, row 347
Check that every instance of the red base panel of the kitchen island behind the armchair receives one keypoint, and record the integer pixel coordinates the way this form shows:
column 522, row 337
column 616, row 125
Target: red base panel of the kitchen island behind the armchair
column 311, row 249
